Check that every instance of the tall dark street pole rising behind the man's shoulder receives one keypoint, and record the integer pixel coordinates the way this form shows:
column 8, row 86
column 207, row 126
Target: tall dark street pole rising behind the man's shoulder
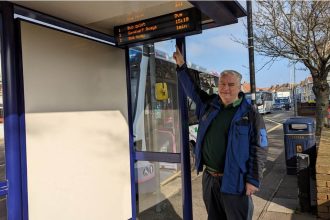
column 251, row 52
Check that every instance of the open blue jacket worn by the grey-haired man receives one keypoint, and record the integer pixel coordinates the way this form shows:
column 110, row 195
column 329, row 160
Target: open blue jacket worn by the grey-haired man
column 247, row 137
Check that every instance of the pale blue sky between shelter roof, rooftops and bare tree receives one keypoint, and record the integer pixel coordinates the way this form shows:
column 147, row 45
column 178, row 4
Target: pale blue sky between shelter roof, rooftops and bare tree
column 216, row 50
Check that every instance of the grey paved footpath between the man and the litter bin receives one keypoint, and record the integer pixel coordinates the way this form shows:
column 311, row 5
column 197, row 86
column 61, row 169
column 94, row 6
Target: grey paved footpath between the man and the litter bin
column 278, row 195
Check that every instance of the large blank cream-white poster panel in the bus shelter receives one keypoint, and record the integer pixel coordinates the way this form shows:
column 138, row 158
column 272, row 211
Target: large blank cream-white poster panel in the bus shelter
column 76, row 127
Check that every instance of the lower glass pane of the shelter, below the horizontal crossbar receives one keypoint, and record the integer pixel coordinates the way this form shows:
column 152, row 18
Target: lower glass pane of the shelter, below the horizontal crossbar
column 158, row 190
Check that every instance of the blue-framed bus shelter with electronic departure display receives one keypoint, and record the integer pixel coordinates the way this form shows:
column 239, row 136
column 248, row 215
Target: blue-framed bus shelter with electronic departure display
column 94, row 118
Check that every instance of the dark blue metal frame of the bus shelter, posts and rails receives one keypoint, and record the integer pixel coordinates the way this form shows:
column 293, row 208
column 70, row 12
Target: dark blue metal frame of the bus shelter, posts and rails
column 13, row 93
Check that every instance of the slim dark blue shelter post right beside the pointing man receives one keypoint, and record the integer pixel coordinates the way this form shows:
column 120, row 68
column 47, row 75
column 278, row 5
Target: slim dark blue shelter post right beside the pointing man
column 185, row 152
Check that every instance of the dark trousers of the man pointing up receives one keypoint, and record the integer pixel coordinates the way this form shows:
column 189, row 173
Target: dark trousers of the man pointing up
column 222, row 205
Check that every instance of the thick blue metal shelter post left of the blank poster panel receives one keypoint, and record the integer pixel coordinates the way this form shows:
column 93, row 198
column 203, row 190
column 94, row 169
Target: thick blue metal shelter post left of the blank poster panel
column 11, row 113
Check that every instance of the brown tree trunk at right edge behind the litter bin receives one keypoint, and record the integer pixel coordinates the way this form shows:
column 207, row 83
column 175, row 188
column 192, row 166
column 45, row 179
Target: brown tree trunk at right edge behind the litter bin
column 321, row 91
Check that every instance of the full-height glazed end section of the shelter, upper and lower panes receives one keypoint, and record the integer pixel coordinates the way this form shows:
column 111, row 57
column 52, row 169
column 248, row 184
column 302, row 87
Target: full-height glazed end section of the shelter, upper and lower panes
column 156, row 130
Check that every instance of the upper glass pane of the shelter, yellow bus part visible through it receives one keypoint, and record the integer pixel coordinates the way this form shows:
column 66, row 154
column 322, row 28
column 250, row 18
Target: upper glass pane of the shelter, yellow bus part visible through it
column 154, row 97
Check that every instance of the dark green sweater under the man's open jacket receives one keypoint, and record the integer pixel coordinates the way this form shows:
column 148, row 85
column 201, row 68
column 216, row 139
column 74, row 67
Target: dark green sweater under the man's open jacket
column 216, row 138
